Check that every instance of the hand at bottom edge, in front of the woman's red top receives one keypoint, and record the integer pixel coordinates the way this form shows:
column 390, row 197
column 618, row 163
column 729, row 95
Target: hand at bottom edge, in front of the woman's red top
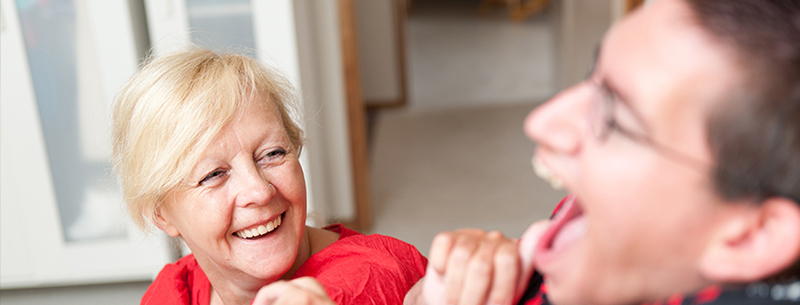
column 301, row 291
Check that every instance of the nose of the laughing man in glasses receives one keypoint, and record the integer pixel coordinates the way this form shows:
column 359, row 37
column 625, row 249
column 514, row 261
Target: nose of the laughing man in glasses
column 561, row 123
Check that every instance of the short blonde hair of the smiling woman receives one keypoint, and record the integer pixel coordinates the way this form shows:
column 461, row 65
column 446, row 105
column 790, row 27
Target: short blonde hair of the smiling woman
column 171, row 110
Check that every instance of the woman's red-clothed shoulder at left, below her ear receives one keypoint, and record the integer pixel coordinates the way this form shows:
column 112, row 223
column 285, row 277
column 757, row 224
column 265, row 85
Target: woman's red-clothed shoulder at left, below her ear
column 181, row 282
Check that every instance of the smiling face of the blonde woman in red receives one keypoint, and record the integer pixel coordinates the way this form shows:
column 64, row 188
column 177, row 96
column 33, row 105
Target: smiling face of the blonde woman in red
column 243, row 210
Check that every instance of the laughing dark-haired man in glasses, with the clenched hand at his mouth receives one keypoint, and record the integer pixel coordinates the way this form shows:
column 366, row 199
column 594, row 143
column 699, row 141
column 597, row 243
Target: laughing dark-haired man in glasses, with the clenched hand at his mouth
column 682, row 156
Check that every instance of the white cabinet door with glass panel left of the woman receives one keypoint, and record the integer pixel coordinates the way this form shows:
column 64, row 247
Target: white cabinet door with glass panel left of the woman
column 63, row 218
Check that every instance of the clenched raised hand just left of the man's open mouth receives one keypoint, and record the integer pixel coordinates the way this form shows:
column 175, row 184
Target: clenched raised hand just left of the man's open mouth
column 470, row 266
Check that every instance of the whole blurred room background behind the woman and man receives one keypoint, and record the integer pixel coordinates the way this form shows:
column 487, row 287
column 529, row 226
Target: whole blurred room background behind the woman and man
column 413, row 110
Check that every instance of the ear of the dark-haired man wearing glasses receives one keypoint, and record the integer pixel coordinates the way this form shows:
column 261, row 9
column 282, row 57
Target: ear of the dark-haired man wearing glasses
column 754, row 243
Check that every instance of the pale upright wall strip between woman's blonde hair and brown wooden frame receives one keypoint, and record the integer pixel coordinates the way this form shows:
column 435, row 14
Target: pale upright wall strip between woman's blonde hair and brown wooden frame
column 323, row 92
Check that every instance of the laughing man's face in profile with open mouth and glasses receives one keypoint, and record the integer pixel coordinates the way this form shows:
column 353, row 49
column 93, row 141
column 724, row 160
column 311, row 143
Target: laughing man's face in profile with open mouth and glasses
column 642, row 207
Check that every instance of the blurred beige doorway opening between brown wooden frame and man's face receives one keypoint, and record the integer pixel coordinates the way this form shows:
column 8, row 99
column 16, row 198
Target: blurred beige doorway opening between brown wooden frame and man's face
column 455, row 155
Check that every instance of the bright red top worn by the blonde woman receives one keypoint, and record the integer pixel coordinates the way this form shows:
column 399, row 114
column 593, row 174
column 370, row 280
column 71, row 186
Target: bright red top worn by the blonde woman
column 356, row 269
